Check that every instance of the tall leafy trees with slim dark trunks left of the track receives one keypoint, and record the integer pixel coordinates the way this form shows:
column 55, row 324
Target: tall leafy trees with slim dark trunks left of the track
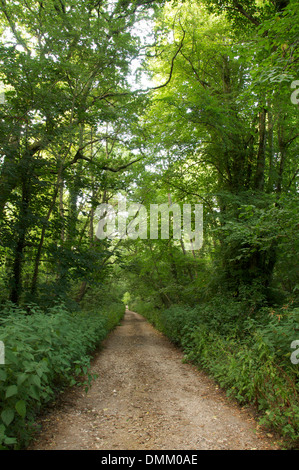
column 68, row 111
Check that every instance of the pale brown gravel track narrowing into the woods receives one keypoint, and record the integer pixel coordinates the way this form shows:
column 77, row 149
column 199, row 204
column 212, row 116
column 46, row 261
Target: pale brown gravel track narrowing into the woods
column 146, row 398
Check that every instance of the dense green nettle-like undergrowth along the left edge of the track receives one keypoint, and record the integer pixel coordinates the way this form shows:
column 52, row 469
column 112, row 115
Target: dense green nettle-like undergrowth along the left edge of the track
column 44, row 352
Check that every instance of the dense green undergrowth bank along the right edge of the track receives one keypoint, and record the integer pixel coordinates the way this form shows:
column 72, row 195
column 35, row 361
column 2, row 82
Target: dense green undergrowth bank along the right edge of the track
column 253, row 366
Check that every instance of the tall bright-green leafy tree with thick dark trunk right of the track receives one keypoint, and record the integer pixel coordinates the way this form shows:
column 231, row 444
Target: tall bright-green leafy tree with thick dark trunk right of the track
column 228, row 128
